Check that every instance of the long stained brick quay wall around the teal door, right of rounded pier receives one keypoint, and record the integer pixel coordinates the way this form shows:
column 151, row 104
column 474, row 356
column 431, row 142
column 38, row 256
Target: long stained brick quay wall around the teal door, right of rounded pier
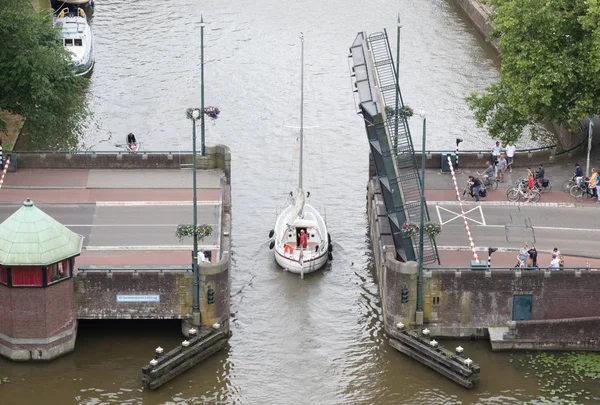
column 469, row 301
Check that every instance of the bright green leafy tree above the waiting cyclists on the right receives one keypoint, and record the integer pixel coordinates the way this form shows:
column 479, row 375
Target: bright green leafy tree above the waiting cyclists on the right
column 550, row 66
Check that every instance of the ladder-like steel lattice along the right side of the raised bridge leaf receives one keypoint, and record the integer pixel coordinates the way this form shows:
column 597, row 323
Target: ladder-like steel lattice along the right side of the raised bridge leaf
column 408, row 178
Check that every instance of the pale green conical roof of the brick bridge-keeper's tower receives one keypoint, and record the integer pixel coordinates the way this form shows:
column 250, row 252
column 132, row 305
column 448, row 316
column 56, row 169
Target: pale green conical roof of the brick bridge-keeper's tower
column 30, row 237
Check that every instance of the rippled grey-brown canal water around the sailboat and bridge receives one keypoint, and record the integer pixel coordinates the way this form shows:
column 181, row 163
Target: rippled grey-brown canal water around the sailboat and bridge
column 316, row 340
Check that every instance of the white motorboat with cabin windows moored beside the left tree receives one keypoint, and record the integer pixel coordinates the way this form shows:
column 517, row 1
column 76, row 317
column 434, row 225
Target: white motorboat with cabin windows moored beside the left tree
column 77, row 38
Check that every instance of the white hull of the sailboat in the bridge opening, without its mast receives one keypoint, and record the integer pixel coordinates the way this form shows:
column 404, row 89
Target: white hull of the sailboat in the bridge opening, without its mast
column 292, row 257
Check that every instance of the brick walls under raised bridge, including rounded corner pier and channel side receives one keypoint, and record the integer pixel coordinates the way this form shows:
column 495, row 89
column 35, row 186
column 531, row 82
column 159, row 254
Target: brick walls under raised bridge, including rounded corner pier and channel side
column 466, row 303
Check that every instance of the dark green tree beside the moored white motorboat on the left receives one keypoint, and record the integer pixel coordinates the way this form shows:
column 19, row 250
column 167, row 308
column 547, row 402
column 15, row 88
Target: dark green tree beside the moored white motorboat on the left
column 36, row 77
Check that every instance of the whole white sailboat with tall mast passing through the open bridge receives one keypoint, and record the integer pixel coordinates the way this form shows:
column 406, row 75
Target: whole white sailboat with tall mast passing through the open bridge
column 301, row 242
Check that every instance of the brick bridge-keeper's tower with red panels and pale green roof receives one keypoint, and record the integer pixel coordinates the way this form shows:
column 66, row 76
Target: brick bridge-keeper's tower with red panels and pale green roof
column 37, row 320
